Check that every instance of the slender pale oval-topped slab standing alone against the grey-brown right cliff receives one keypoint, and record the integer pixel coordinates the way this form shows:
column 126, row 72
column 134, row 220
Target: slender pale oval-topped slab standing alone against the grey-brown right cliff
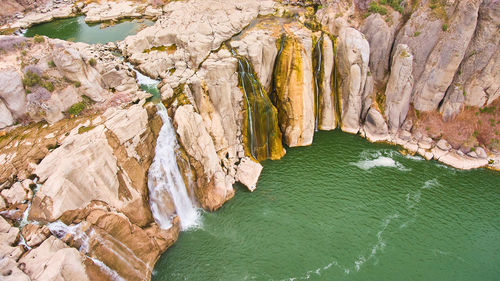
column 399, row 87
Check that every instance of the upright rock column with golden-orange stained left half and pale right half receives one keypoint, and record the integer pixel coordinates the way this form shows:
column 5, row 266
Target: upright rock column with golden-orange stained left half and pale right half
column 294, row 87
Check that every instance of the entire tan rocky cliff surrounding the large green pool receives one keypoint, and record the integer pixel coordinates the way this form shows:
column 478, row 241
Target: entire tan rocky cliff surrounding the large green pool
column 240, row 81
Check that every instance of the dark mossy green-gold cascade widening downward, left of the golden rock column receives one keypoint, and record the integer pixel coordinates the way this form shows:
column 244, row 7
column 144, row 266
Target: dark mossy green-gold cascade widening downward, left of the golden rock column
column 263, row 137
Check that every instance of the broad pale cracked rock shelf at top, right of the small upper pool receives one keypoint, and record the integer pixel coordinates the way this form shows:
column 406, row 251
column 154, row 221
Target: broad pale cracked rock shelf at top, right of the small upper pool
column 195, row 27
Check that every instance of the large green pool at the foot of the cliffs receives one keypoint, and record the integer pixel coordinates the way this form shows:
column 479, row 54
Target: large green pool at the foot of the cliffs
column 345, row 209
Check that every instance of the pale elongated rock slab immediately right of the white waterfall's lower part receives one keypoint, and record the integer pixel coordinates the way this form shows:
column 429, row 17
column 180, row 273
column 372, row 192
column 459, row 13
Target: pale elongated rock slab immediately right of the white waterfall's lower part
column 212, row 187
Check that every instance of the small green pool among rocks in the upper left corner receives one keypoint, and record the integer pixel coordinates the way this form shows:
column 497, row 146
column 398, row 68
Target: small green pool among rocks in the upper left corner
column 76, row 30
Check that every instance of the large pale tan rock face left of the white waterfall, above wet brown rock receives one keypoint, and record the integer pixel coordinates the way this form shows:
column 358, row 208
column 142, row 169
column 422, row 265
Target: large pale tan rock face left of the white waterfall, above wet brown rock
column 82, row 169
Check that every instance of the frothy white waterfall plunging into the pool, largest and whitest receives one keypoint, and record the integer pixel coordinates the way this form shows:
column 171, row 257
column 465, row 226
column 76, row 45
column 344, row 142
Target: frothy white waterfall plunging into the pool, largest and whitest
column 165, row 180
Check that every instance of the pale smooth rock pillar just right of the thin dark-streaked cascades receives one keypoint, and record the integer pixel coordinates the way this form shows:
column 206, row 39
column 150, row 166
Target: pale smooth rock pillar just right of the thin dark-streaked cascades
column 353, row 53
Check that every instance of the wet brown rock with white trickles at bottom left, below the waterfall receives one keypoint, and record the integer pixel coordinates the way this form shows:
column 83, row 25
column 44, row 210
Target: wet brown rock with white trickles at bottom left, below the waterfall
column 112, row 241
